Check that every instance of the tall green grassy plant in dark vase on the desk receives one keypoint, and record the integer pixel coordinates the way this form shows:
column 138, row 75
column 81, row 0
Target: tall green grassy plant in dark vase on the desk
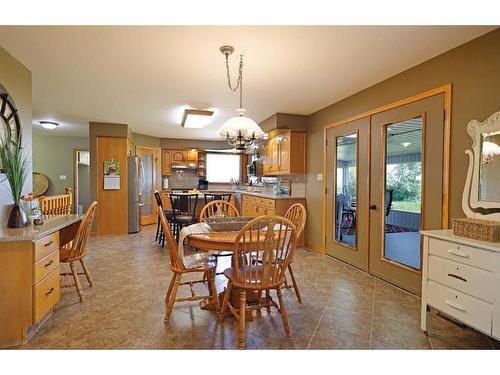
column 15, row 166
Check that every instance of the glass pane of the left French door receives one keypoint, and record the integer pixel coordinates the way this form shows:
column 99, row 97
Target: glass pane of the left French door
column 345, row 189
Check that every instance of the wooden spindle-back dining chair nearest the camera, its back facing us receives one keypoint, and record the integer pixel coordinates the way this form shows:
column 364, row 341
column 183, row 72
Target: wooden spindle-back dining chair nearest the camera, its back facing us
column 271, row 240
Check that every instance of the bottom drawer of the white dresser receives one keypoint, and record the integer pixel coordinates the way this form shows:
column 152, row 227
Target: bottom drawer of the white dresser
column 467, row 309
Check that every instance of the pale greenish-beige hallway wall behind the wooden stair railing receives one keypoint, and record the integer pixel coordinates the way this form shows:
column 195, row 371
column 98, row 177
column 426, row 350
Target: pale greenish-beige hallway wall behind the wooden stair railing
column 53, row 156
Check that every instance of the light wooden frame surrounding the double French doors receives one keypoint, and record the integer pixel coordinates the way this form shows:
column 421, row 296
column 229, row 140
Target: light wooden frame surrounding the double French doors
column 447, row 91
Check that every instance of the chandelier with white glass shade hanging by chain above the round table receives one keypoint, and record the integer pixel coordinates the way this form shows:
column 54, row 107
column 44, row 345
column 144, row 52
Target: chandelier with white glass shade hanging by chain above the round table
column 239, row 131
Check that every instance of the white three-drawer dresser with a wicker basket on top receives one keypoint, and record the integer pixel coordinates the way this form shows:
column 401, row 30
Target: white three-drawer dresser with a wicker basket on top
column 461, row 278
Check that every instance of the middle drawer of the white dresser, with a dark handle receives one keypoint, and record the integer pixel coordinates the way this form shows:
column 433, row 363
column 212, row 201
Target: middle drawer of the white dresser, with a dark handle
column 464, row 278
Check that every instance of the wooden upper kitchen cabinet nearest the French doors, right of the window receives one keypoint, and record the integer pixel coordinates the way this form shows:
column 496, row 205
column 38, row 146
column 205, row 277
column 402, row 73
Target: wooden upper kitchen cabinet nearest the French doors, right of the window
column 285, row 153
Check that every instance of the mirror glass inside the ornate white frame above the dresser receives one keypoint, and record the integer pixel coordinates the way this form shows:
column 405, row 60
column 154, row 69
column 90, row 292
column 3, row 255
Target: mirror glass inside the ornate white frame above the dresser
column 489, row 172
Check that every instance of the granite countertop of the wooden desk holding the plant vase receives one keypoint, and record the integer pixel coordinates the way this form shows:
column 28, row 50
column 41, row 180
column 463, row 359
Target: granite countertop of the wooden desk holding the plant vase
column 35, row 232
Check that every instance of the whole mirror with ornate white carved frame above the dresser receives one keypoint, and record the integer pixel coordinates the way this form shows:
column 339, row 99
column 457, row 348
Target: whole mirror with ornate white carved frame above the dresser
column 481, row 197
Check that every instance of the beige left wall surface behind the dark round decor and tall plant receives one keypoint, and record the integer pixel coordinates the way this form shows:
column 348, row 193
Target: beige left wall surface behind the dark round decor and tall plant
column 16, row 79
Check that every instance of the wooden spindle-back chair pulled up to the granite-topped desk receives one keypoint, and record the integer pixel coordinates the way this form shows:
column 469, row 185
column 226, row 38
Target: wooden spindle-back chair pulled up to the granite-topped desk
column 76, row 250
